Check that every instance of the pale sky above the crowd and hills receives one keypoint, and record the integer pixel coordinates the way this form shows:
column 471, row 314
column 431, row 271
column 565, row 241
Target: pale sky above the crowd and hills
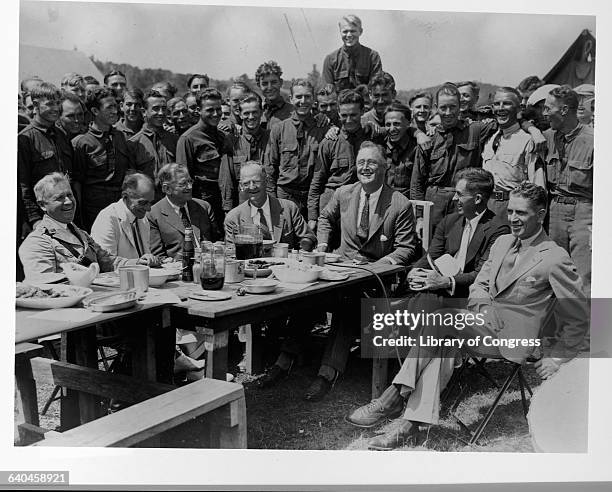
column 420, row 49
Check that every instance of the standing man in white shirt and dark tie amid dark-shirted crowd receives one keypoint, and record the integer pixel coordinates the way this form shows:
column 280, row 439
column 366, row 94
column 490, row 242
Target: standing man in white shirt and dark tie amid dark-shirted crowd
column 510, row 153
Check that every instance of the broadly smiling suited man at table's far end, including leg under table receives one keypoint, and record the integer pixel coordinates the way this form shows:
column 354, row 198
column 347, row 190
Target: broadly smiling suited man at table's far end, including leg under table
column 375, row 224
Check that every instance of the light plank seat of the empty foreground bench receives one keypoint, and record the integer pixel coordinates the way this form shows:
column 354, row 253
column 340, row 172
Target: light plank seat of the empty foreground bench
column 151, row 417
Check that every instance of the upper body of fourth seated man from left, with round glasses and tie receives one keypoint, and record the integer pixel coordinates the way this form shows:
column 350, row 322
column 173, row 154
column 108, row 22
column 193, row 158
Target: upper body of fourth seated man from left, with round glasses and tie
column 279, row 219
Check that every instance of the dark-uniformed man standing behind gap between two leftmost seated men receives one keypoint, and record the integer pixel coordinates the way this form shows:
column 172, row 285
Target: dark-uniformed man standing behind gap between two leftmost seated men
column 101, row 156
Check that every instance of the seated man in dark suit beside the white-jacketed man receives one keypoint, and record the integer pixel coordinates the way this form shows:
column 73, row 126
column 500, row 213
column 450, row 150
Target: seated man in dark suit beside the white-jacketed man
column 170, row 216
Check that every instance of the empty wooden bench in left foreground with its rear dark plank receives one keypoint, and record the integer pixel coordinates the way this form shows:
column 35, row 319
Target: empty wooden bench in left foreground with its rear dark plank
column 156, row 408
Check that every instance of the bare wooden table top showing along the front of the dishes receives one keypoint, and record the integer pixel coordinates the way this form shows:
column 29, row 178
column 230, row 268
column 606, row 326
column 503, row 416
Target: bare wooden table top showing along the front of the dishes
column 33, row 324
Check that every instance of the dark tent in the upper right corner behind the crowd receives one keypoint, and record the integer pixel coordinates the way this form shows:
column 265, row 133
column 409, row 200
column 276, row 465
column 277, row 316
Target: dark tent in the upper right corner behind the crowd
column 577, row 65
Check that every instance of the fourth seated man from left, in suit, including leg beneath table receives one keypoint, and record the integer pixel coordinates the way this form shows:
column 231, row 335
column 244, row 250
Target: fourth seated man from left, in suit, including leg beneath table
column 278, row 219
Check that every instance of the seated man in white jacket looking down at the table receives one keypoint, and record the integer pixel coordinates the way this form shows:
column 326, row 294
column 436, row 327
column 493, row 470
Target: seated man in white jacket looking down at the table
column 122, row 228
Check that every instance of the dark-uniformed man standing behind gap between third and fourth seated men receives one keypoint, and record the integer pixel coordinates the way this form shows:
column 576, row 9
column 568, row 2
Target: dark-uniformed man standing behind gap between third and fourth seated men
column 201, row 148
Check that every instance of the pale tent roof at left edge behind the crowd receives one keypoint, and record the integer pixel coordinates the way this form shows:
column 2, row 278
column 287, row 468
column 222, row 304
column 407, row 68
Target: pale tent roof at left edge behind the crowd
column 51, row 64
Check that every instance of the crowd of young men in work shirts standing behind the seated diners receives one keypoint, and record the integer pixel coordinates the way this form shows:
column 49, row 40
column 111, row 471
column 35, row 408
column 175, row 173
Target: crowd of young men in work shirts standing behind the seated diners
column 308, row 146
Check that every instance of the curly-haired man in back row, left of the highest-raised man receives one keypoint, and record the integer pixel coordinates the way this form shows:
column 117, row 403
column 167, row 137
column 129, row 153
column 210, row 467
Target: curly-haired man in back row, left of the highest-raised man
column 268, row 79
